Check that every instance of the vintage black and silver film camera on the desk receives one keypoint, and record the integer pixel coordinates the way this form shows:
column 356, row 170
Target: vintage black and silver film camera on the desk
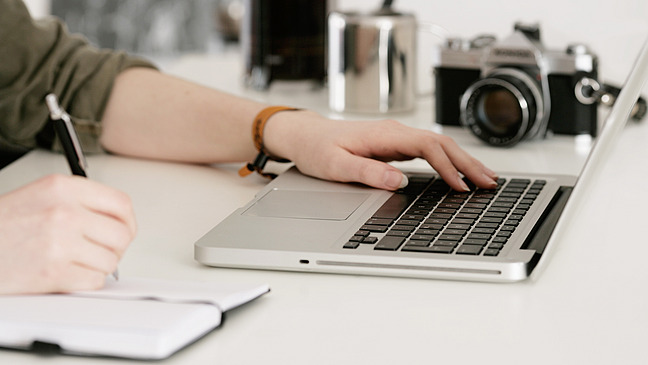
column 514, row 89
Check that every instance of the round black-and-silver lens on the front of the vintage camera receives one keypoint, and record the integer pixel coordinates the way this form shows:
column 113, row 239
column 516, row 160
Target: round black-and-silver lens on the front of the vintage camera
column 503, row 108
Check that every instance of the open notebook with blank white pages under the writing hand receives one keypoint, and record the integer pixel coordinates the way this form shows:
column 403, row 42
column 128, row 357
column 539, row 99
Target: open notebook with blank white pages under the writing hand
column 136, row 318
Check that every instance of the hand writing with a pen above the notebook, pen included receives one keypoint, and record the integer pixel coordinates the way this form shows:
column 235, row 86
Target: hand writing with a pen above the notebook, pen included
column 63, row 233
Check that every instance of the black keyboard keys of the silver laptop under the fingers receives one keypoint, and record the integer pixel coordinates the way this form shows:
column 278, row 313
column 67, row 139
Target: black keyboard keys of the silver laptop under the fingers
column 428, row 216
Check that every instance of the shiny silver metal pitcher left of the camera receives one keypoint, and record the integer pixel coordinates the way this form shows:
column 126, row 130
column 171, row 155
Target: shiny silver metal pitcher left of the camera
column 372, row 61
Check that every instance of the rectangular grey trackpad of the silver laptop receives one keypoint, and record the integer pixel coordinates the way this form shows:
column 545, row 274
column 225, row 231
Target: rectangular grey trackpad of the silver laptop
column 301, row 204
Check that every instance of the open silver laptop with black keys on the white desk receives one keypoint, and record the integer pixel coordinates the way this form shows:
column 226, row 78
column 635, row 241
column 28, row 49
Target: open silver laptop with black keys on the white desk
column 426, row 230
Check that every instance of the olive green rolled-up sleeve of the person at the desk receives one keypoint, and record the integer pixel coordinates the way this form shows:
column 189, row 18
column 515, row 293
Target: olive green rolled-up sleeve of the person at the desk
column 38, row 57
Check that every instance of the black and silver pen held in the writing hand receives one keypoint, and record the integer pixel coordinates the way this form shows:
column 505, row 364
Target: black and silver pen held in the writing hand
column 69, row 140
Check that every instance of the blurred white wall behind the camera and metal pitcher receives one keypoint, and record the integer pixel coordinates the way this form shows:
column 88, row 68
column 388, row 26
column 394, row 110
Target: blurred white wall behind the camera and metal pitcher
column 614, row 30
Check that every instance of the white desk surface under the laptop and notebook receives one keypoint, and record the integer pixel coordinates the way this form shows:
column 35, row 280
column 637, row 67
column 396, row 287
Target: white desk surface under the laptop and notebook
column 588, row 306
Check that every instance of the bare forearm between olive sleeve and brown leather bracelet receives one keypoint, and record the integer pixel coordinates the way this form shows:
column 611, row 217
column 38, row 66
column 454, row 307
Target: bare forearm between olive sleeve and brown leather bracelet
column 153, row 115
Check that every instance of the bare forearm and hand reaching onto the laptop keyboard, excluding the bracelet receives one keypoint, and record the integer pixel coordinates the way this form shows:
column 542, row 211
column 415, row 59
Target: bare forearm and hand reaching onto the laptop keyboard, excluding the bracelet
column 157, row 116
